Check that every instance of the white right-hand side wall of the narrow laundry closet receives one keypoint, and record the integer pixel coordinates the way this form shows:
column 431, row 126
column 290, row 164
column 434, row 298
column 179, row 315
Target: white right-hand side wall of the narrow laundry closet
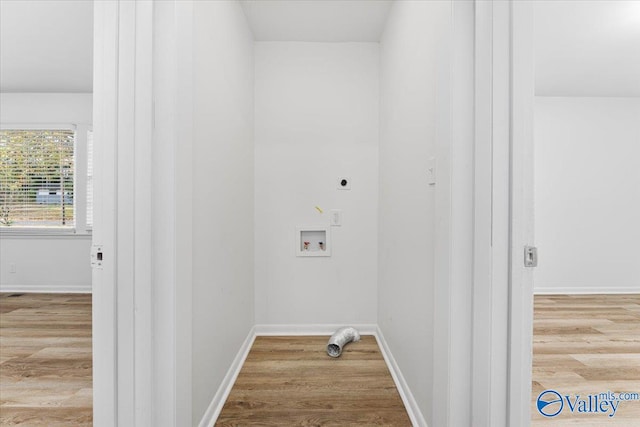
column 409, row 72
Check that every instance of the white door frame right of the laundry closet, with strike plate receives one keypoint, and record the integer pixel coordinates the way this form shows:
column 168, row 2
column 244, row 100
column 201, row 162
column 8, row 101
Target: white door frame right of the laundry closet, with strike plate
column 503, row 213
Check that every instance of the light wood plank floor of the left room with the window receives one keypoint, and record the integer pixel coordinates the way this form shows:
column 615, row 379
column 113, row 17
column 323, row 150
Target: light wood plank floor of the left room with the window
column 45, row 360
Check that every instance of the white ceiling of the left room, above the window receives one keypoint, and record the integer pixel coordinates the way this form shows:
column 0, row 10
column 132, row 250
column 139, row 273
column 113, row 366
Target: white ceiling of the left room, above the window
column 46, row 45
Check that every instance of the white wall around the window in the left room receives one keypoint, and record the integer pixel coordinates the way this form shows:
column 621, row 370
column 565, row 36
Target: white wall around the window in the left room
column 48, row 263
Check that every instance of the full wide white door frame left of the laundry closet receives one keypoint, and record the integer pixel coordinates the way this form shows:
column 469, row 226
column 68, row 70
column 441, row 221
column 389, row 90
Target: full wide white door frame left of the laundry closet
column 142, row 223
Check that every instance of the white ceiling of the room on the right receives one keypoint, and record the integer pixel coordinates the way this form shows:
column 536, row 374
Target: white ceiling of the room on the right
column 587, row 48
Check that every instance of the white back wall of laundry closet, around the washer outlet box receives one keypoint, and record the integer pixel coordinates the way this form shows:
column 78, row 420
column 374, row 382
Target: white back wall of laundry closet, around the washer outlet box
column 316, row 119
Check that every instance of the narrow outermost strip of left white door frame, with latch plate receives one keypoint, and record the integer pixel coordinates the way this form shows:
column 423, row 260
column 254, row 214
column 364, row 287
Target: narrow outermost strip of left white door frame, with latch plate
column 104, row 305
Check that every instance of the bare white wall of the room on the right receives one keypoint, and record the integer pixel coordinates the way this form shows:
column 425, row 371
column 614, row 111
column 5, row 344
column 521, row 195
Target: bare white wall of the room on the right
column 587, row 194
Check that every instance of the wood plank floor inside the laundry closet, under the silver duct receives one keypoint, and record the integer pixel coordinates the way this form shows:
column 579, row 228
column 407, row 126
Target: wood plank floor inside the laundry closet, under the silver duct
column 291, row 381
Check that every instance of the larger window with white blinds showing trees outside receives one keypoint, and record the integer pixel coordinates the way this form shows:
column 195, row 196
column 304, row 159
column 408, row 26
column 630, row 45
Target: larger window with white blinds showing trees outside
column 37, row 178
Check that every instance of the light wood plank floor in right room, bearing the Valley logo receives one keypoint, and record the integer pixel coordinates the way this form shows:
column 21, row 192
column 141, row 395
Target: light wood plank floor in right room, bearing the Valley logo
column 586, row 344
